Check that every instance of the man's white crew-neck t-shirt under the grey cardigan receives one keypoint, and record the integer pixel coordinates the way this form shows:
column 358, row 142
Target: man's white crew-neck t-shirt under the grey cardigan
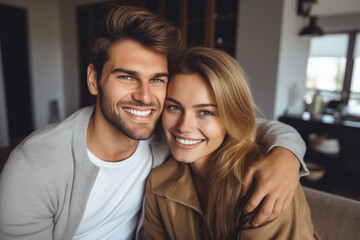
column 114, row 205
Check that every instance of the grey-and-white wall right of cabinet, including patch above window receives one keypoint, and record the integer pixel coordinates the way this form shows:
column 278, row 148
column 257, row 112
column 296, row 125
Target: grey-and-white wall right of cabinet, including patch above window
column 272, row 53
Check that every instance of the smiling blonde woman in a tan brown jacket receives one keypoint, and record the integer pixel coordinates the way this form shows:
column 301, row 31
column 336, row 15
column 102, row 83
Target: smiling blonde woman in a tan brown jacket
column 209, row 122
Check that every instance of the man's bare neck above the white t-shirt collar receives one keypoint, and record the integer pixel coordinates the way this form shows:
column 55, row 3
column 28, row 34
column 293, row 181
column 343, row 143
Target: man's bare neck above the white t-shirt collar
column 106, row 142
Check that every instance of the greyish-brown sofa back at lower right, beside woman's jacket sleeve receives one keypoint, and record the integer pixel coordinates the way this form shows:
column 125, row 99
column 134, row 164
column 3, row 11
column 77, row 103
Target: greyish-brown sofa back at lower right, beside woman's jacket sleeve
column 334, row 217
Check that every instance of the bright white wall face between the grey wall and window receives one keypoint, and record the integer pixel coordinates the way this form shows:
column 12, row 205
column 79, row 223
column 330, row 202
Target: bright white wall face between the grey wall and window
column 291, row 75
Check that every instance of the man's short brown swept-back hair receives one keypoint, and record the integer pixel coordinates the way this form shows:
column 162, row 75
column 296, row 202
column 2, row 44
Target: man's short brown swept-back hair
column 134, row 23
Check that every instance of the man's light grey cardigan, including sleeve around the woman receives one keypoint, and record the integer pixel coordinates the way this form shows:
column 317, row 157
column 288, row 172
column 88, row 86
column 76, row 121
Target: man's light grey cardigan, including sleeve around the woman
column 48, row 178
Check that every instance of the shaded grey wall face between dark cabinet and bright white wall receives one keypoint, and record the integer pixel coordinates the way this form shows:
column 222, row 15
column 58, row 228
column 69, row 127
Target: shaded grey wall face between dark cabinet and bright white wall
column 257, row 50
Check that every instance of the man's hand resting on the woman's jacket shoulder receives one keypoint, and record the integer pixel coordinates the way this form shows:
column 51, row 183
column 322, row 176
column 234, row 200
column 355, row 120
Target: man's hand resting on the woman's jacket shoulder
column 275, row 179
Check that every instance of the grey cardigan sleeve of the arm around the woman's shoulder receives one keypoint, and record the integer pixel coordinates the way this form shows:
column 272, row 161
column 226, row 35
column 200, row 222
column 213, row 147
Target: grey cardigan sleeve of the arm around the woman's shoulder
column 272, row 134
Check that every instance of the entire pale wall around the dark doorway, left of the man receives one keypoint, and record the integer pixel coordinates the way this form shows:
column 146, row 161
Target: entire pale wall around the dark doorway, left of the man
column 54, row 61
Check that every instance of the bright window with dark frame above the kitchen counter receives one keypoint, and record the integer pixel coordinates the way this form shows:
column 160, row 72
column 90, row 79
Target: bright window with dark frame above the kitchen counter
column 334, row 69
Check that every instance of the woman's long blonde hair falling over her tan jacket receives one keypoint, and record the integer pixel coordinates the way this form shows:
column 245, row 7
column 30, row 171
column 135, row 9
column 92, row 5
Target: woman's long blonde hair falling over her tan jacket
column 238, row 150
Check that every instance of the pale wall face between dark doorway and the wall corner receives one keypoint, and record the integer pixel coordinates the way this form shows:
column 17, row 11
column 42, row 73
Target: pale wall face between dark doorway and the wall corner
column 45, row 55
